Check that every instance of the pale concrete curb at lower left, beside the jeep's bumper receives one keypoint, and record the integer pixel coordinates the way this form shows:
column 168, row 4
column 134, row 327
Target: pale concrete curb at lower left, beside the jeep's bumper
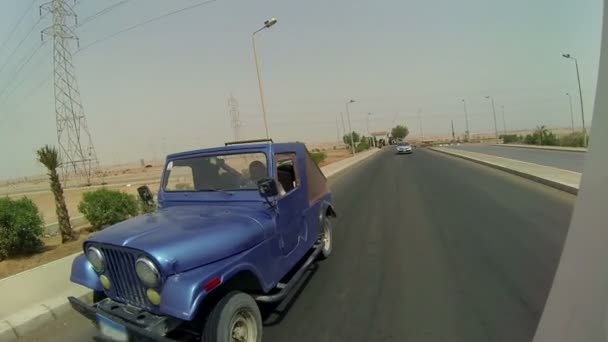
column 28, row 320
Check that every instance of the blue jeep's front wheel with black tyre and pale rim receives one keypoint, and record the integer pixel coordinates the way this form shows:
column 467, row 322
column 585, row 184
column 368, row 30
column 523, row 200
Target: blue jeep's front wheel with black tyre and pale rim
column 235, row 318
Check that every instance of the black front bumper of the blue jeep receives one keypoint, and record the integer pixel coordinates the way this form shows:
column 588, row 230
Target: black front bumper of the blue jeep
column 139, row 325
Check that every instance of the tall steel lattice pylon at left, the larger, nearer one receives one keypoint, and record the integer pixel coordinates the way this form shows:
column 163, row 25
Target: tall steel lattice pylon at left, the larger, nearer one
column 76, row 148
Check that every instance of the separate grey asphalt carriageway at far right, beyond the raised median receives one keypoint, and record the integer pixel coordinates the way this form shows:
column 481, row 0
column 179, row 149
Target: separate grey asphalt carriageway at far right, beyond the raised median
column 572, row 161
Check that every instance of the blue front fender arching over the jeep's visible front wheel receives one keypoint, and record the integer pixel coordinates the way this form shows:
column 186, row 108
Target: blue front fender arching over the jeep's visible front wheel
column 183, row 293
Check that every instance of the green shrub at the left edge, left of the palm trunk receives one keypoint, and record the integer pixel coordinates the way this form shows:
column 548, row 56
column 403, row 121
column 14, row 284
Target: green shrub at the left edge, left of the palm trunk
column 21, row 227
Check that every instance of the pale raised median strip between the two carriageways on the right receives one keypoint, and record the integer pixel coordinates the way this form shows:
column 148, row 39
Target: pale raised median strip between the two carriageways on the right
column 557, row 178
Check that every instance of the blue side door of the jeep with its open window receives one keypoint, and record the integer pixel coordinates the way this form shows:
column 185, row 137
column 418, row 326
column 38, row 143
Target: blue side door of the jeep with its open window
column 291, row 202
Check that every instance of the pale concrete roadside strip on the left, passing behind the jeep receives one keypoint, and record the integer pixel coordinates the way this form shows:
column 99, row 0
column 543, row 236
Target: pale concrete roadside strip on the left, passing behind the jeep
column 40, row 294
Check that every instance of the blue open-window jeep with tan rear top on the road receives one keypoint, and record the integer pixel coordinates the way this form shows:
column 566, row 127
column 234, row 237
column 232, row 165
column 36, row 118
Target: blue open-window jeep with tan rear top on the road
column 236, row 225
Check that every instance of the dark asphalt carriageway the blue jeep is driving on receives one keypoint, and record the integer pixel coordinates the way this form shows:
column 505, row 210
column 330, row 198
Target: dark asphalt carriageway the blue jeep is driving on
column 427, row 248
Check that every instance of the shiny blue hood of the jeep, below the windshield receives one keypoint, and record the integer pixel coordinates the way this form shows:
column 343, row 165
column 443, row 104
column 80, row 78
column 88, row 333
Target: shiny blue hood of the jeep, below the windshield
column 181, row 238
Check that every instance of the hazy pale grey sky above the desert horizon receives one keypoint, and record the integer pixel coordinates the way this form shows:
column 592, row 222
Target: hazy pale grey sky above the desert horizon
column 164, row 86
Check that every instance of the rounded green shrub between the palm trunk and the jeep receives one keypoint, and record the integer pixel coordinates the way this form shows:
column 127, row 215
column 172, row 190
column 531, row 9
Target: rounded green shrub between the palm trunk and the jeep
column 105, row 207
